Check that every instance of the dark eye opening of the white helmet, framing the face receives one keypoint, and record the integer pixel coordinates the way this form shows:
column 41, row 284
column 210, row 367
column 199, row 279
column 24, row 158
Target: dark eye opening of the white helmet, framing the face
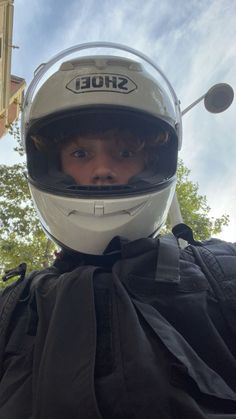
column 101, row 152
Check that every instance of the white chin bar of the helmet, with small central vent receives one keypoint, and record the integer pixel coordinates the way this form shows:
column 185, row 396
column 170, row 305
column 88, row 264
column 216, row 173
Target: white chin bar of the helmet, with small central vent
column 88, row 225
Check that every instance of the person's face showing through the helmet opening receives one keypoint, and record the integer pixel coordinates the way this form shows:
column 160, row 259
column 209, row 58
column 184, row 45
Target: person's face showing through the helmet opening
column 98, row 160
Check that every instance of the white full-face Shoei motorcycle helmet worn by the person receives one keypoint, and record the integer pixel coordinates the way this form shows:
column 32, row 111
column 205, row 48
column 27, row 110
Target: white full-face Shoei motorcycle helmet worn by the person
column 100, row 91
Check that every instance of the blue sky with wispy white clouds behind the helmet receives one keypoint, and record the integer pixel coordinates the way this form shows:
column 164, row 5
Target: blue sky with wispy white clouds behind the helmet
column 194, row 43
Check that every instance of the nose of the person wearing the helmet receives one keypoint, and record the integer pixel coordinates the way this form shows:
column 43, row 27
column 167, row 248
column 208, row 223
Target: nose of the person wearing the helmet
column 103, row 173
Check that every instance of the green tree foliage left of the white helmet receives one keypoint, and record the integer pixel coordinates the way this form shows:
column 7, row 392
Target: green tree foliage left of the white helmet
column 21, row 235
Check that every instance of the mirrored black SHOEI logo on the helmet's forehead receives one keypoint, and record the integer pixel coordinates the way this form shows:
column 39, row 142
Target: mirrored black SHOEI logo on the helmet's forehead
column 101, row 82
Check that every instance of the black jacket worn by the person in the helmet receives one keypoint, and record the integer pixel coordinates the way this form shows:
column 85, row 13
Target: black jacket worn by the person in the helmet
column 144, row 338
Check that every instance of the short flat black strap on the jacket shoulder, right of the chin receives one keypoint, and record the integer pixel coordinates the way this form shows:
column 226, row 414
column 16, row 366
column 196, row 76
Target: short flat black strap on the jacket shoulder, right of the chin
column 168, row 259
